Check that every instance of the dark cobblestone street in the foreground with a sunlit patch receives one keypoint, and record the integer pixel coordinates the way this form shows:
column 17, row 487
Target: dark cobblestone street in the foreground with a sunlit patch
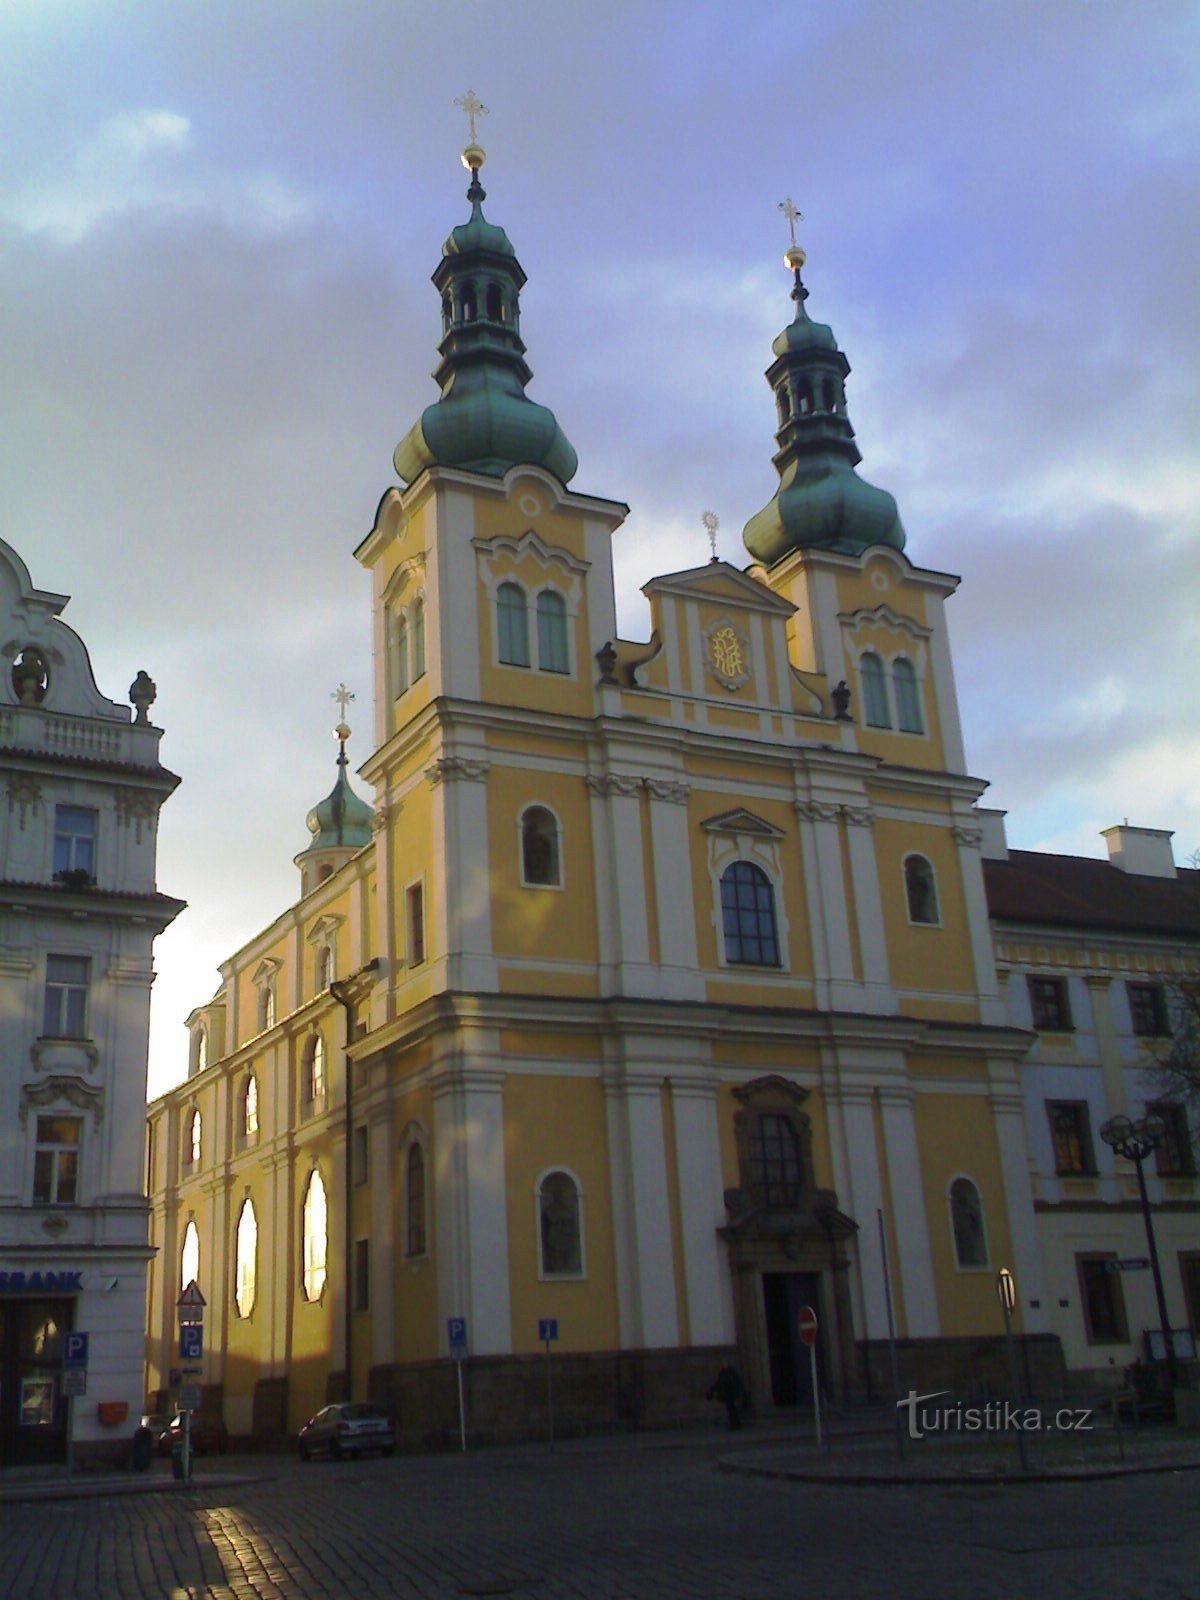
column 602, row 1521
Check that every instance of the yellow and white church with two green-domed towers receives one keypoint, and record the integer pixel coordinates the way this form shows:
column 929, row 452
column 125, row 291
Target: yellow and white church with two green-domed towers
column 650, row 998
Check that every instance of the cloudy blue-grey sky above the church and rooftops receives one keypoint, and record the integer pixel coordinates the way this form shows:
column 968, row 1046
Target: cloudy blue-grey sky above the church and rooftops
column 217, row 231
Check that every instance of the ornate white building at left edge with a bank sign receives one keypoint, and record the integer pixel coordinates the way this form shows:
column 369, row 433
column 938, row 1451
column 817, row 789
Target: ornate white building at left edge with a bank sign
column 79, row 913
